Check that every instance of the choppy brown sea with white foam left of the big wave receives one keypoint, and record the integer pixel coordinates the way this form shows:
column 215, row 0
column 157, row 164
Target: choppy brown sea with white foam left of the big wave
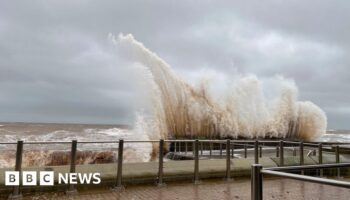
column 43, row 154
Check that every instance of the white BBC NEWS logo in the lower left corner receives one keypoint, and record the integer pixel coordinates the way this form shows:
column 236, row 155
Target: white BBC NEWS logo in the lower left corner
column 46, row 178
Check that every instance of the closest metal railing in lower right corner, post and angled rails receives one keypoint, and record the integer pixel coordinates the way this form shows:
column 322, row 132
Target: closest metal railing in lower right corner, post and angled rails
column 258, row 171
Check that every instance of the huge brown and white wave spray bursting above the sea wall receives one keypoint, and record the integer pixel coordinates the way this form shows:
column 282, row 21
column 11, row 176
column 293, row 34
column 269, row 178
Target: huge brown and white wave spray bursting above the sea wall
column 183, row 111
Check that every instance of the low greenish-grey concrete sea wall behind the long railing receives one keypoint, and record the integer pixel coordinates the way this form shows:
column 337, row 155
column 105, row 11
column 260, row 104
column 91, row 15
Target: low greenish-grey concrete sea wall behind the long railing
column 146, row 172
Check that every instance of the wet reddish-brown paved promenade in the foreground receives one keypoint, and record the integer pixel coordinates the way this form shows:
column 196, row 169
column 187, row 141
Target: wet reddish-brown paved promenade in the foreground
column 213, row 189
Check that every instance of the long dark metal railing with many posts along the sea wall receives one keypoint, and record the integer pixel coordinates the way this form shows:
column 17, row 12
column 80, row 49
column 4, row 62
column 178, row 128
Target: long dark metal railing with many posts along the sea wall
column 196, row 145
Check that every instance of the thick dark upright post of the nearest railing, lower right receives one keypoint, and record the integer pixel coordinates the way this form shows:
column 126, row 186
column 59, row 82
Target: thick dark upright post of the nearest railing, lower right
column 256, row 182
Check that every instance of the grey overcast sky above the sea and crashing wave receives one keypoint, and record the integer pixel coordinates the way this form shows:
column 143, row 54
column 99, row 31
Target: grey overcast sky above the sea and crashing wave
column 57, row 65
